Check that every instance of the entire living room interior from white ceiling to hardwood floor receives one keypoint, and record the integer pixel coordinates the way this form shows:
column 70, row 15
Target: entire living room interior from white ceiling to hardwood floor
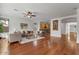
column 40, row 28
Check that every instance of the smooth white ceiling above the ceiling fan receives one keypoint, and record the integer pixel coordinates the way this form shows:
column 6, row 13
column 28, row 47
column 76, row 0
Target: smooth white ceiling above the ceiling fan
column 44, row 10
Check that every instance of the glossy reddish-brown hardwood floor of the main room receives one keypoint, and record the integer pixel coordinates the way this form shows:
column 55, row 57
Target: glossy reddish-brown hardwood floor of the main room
column 47, row 46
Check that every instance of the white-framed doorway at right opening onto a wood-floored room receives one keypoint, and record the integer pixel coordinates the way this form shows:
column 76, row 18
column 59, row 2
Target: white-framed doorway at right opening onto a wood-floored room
column 71, row 34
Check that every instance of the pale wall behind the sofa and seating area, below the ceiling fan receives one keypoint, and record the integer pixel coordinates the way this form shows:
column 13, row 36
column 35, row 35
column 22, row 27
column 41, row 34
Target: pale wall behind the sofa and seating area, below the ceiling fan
column 15, row 20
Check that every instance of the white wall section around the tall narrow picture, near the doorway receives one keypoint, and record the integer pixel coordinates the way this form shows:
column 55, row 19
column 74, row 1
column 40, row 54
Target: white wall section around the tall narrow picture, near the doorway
column 61, row 26
